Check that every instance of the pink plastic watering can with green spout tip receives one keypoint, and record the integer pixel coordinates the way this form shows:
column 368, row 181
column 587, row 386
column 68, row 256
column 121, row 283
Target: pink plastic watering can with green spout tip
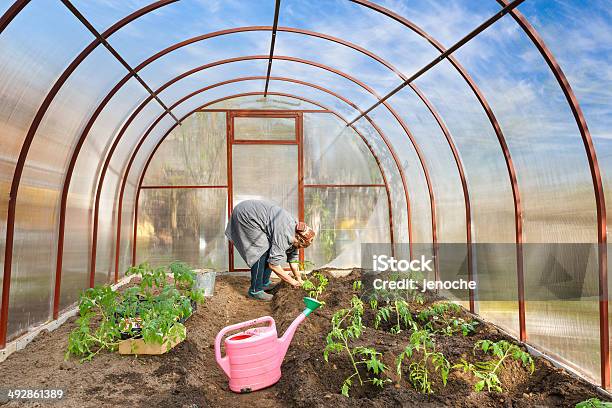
column 253, row 357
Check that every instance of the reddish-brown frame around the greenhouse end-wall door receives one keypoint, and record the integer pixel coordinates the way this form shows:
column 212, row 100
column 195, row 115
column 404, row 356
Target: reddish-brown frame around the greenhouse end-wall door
column 230, row 141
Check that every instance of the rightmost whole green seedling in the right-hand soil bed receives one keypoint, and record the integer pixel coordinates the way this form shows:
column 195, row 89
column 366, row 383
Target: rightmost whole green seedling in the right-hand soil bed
column 487, row 371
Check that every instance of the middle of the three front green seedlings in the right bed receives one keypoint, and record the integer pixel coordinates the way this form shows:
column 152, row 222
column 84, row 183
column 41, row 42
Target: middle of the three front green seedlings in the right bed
column 422, row 343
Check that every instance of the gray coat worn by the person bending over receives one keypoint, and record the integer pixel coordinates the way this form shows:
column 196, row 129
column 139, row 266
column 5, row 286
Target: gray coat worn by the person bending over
column 258, row 226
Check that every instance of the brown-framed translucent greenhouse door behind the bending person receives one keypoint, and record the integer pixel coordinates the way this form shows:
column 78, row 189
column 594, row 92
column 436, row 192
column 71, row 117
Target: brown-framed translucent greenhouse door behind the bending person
column 265, row 163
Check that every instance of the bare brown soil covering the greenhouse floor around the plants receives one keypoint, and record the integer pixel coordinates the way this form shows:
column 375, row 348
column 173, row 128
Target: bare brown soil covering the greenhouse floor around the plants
column 188, row 375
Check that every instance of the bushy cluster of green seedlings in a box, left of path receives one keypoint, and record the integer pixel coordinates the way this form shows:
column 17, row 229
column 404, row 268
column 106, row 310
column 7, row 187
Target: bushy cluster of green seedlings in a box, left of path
column 153, row 310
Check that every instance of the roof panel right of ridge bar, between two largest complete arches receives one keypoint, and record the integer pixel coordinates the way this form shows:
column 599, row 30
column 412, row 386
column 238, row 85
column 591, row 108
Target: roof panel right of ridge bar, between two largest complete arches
column 338, row 56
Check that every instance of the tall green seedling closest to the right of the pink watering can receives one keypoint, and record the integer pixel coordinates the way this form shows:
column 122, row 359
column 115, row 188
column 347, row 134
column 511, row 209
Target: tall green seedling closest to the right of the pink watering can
column 347, row 326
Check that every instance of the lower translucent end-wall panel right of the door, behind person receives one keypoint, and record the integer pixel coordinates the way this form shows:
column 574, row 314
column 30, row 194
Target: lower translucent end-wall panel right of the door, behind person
column 344, row 218
